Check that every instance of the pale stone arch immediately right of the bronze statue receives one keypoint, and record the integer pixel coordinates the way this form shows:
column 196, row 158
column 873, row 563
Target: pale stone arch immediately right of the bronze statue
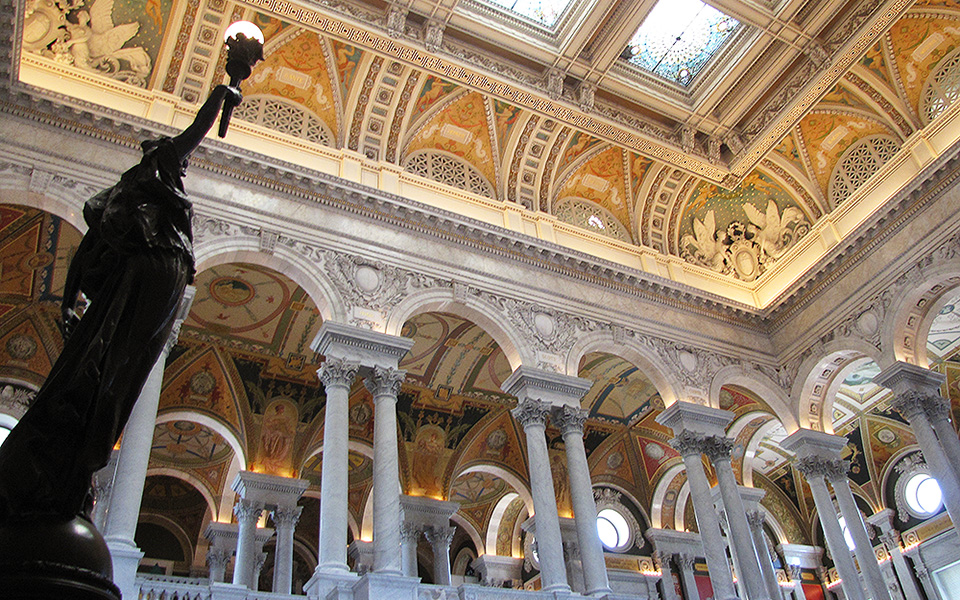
column 225, row 250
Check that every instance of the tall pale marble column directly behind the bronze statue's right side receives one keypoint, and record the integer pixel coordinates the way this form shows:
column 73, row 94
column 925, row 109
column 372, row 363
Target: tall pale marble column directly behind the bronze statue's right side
column 123, row 511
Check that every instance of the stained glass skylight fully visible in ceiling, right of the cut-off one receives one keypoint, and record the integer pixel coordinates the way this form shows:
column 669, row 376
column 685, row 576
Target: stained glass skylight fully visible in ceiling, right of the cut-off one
column 678, row 38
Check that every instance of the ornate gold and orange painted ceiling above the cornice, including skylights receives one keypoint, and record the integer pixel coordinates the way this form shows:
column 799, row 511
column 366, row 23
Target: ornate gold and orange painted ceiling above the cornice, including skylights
column 727, row 163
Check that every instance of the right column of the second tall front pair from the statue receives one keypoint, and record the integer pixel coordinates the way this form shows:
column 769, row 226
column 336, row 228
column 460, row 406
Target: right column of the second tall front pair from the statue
column 570, row 421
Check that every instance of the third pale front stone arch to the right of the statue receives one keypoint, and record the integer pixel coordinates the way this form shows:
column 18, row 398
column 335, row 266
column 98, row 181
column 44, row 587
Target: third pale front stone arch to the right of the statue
column 630, row 350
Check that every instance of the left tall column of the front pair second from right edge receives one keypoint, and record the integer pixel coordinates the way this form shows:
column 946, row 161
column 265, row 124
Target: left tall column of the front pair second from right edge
column 815, row 469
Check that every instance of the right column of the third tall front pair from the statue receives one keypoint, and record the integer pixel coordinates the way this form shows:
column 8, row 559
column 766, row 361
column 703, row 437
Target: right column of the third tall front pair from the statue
column 718, row 451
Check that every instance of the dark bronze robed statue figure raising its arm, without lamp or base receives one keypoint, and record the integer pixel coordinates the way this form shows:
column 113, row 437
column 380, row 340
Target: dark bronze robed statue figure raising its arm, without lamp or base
column 132, row 266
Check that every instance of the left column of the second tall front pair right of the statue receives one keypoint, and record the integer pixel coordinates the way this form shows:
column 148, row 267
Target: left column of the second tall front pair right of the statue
column 532, row 416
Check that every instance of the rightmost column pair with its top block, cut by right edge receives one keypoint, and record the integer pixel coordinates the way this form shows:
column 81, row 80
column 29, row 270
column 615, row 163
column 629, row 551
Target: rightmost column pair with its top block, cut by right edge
column 917, row 393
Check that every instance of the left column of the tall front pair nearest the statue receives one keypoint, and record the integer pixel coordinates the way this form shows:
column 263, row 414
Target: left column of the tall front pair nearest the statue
column 337, row 376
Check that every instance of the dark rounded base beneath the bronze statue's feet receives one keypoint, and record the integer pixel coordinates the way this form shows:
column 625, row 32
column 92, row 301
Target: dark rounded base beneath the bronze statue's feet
column 55, row 560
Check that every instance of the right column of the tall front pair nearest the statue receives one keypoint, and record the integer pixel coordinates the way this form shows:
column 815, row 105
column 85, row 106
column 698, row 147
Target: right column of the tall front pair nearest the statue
column 384, row 384
